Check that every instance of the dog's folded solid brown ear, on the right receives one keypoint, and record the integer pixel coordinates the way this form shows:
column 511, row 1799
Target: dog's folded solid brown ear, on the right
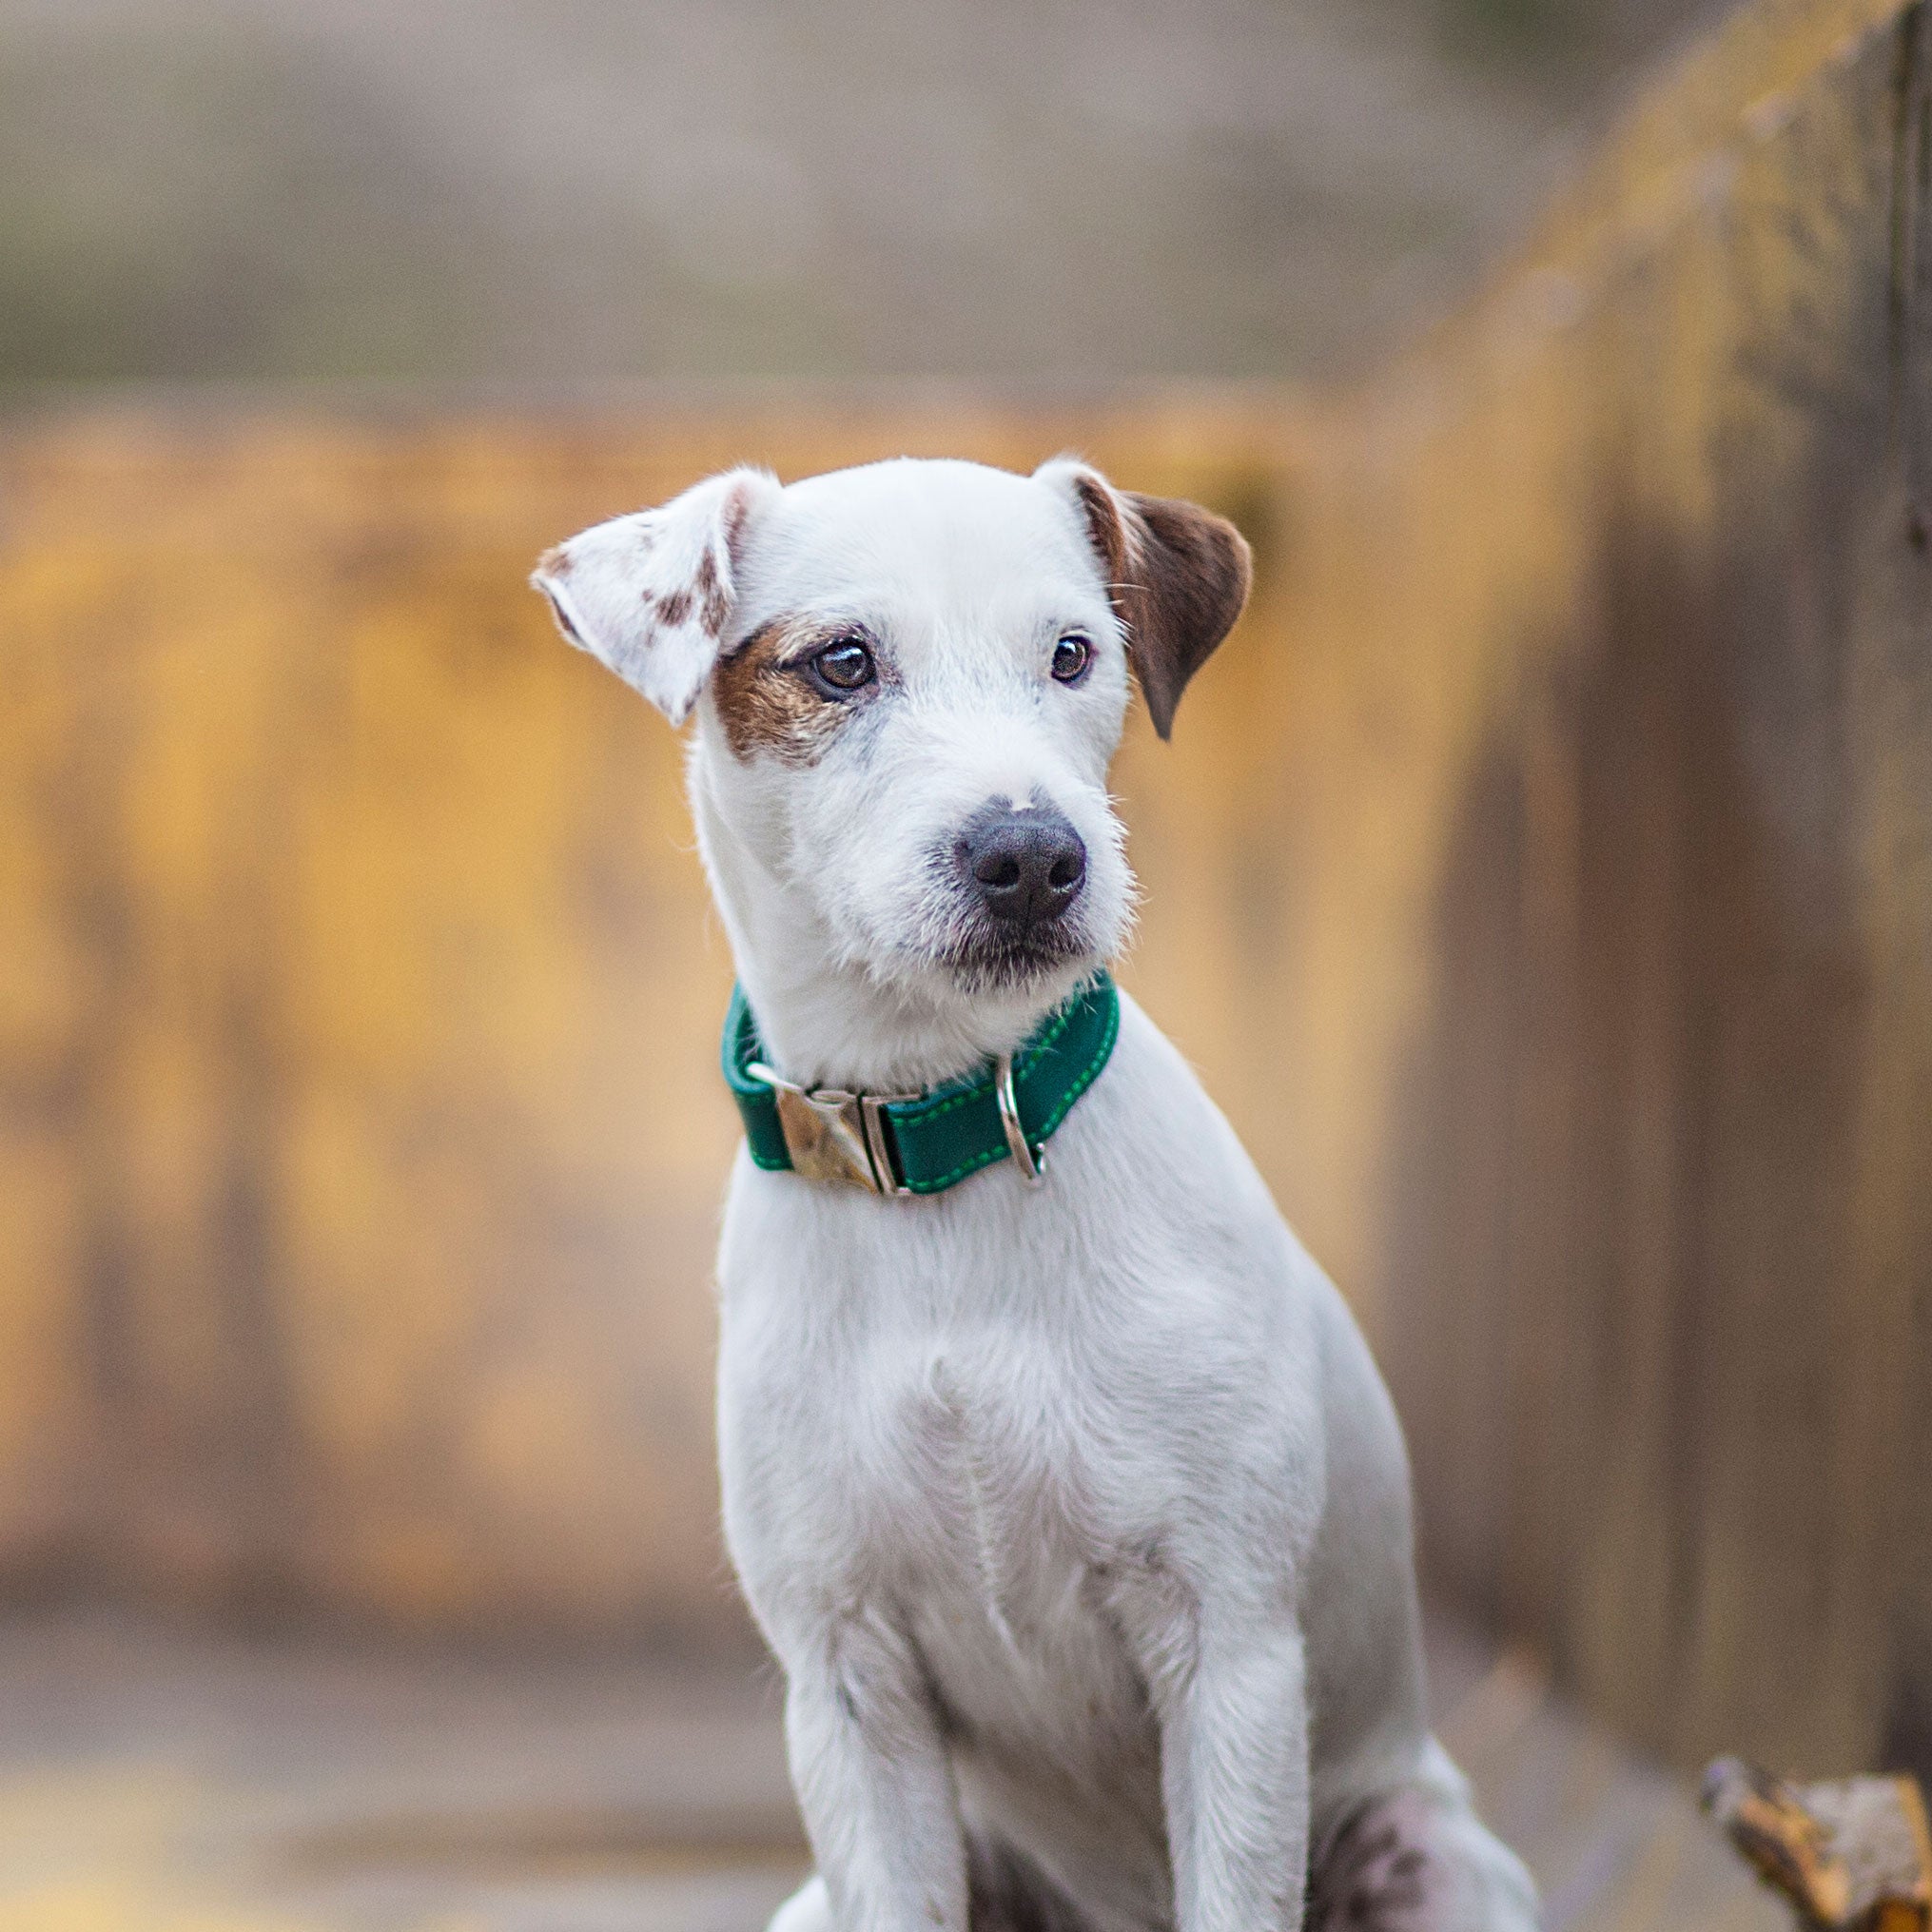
column 1178, row 577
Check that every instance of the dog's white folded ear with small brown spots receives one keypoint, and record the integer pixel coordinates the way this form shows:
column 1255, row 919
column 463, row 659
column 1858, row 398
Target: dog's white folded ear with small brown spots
column 652, row 594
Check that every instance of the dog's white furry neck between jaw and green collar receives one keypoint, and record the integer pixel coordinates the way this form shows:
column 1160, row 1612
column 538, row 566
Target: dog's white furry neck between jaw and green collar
column 826, row 1021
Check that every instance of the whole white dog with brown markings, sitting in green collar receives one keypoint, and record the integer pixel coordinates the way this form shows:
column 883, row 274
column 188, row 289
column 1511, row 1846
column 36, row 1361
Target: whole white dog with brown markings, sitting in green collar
column 1058, row 1475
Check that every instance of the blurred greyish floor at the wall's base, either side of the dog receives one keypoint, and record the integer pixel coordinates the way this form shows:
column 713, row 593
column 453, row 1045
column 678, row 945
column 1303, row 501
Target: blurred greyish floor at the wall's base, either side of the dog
column 165, row 1782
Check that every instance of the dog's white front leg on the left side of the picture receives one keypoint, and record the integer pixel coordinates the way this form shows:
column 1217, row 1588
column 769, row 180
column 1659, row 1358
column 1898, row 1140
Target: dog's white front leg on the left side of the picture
column 874, row 1784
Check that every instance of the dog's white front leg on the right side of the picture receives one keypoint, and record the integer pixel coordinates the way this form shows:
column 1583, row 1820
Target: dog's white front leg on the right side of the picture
column 1236, row 1776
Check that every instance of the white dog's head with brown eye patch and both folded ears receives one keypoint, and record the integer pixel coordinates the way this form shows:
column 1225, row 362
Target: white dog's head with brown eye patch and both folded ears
column 909, row 683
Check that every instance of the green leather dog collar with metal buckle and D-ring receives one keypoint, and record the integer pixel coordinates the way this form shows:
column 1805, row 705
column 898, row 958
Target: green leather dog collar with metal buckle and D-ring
column 924, row 1143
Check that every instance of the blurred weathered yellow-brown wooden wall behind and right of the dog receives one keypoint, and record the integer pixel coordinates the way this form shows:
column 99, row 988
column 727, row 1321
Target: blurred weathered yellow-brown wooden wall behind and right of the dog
column 1543, row 878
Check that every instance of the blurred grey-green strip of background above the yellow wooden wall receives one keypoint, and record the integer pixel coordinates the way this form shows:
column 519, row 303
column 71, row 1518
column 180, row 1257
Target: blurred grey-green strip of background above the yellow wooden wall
column 598, row 190
